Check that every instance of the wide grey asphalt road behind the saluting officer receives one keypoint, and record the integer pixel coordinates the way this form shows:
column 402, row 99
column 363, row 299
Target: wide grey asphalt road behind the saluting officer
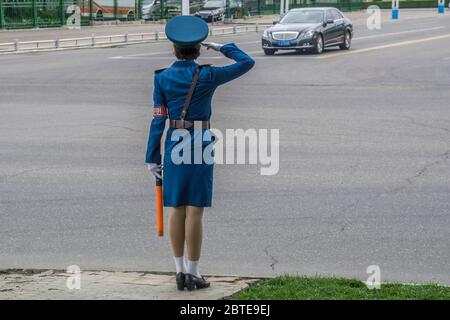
column 364, row 160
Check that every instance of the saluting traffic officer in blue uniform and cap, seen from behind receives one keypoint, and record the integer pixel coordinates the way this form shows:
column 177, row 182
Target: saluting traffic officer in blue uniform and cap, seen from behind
column 183, row 93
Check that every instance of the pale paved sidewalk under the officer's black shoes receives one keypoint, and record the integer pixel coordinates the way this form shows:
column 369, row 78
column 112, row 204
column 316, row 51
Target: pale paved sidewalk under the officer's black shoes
column 107, row 285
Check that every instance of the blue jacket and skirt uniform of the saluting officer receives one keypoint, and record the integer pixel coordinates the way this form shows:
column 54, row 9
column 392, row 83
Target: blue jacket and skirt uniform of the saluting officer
column 188, row 184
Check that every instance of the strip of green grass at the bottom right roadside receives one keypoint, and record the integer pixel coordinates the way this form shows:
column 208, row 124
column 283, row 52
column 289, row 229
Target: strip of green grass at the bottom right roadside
column 321, row 288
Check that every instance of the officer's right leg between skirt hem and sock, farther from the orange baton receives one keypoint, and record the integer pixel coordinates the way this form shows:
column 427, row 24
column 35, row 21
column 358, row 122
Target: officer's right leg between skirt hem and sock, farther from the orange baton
column 194, row 232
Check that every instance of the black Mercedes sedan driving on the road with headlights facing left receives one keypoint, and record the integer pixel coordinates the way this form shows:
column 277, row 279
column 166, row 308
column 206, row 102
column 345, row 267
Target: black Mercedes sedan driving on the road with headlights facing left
column 309, row 29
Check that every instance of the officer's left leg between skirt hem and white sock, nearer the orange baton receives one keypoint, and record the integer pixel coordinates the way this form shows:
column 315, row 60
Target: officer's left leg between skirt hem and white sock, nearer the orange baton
column 177, row 217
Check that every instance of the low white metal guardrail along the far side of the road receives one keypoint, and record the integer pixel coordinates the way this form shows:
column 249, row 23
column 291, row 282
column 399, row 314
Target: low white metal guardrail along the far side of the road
column 127, row 38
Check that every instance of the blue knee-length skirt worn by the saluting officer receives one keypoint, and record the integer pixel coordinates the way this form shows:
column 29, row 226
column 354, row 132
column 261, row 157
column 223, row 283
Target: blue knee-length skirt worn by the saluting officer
column 189, row 183
